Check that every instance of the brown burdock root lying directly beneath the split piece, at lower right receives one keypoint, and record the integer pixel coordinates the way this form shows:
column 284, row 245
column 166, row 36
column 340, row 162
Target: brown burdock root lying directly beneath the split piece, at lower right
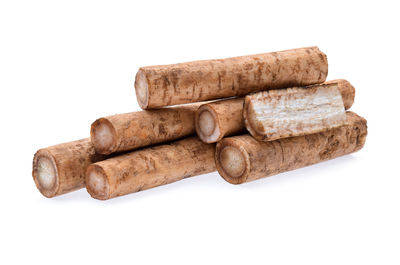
column 242, row 158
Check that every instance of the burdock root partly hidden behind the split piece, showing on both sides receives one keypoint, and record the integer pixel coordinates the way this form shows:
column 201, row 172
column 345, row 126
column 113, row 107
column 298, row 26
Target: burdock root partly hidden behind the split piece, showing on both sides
column 228, row 114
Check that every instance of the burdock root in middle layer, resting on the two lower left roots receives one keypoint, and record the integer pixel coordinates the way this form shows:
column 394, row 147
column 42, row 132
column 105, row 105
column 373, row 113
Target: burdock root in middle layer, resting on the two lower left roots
column 123, row 132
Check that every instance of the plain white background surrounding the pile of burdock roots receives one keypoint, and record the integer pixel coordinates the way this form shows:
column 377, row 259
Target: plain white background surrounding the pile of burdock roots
column 65, row 63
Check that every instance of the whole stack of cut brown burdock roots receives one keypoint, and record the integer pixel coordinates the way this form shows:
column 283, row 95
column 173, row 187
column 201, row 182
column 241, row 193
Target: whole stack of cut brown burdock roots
column 280, row 115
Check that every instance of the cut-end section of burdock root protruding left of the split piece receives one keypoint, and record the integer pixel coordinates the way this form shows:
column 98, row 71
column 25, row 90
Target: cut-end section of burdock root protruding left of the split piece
column 217, row 119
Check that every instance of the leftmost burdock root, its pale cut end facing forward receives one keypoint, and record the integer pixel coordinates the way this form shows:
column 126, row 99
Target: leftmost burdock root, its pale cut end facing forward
column 61, row 168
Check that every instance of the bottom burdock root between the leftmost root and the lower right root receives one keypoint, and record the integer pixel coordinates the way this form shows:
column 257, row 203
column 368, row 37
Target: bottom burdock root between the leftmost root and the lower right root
column 151, row 167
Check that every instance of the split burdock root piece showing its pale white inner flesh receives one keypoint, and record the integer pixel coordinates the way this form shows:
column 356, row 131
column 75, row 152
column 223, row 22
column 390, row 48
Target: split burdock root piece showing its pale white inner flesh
column 282, row 113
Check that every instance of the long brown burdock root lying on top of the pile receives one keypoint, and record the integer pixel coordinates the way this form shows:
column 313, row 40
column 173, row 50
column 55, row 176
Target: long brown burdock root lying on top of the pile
column 165, row 85
